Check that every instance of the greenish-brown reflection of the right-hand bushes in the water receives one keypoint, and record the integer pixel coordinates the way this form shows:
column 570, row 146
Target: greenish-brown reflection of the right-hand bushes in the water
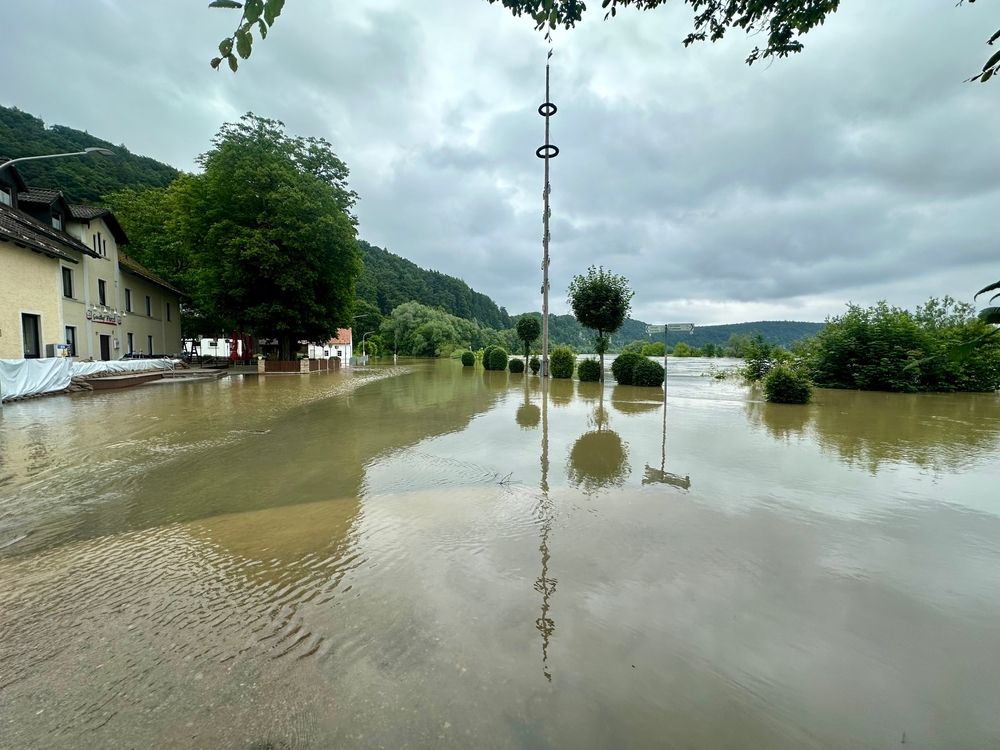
column 871, row 430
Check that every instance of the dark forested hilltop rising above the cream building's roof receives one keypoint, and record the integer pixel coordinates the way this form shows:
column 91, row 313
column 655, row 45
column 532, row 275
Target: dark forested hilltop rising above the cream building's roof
column 85, row 179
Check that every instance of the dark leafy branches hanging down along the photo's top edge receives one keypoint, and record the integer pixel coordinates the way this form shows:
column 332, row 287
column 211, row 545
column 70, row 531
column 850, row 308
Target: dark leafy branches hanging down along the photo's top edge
column 782, row 23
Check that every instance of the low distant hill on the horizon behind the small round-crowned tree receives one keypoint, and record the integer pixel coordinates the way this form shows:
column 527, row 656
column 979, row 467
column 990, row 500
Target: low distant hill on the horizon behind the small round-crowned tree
column 564, row 329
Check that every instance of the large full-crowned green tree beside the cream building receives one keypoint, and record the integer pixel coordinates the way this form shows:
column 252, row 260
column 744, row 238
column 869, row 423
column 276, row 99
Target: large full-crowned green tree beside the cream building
column 276, row 239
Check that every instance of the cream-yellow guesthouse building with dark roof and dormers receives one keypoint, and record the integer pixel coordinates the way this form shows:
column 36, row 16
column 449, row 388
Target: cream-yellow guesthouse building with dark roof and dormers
column 66, row 289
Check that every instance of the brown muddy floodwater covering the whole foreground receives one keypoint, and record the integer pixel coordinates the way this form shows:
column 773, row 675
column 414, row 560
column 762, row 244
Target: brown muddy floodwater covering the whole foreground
column 426, row 556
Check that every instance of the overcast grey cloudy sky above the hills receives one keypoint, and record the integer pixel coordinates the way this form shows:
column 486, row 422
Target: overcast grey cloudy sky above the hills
column 861, row 169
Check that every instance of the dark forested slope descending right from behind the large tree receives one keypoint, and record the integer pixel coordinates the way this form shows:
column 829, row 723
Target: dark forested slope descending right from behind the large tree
column 389, row 280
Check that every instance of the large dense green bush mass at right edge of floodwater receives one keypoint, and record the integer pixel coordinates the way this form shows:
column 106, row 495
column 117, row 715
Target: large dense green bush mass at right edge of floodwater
column 885, row 348
